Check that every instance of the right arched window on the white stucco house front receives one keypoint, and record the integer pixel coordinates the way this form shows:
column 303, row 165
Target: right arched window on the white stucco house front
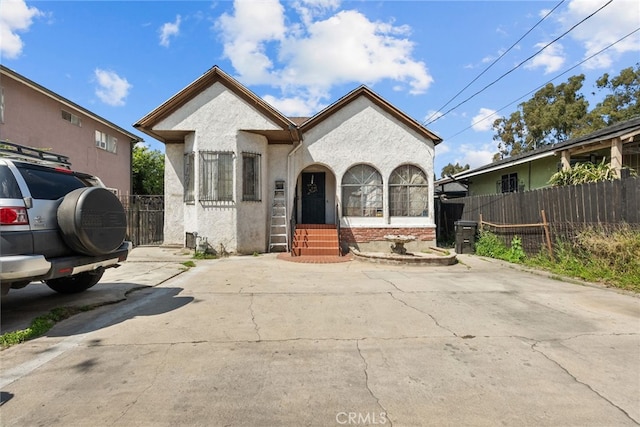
column 408, row 192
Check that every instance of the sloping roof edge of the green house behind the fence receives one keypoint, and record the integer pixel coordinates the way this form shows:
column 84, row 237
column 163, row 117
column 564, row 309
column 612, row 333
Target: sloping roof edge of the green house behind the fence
column 599, row 139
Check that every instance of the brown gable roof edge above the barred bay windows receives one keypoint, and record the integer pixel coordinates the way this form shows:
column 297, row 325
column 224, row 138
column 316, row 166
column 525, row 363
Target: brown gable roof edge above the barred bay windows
column 209, row 78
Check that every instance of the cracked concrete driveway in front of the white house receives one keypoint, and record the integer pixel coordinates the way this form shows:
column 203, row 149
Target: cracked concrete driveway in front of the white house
column 256, row 341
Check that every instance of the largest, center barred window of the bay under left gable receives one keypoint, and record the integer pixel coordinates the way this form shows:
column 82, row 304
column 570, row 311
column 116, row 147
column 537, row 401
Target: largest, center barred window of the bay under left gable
column 216, row 176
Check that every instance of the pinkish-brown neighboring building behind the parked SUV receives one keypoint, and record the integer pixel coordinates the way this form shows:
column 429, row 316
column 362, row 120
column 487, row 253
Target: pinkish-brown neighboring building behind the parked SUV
column 33, row 116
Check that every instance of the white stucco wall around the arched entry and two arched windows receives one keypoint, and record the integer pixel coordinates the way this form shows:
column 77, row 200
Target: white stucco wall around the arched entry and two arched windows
column 361, row 132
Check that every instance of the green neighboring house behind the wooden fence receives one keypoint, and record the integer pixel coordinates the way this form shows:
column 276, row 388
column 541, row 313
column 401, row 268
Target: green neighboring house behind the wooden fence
column 618, row 145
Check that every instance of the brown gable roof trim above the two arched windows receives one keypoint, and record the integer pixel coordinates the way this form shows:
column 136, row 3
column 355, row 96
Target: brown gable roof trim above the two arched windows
column 377, row 100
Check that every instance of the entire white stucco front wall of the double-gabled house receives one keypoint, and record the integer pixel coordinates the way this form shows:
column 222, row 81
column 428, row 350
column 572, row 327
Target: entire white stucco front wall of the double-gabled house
column 220, row 121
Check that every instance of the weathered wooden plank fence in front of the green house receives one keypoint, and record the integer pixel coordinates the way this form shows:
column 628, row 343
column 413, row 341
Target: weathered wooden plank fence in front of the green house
column 568, row 209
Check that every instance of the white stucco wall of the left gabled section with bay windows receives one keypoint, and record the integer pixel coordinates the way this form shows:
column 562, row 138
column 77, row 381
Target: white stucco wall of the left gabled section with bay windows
column 216, row 117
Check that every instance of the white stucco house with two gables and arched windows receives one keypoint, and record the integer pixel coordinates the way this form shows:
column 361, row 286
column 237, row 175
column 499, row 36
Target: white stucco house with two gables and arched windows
column 360, row 163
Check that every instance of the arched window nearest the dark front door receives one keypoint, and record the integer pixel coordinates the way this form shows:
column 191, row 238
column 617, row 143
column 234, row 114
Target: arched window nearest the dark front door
column 362, row 191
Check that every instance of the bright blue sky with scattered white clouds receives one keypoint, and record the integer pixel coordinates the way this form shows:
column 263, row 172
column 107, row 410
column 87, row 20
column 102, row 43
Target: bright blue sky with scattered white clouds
column 454, row 66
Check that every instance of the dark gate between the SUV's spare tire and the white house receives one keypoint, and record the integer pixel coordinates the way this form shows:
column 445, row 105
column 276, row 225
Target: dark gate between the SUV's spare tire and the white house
column 145, row 219
